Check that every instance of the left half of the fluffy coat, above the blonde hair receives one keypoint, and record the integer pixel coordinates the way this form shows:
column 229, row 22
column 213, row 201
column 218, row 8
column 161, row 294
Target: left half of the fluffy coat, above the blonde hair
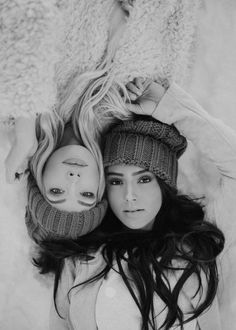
column 43, row 44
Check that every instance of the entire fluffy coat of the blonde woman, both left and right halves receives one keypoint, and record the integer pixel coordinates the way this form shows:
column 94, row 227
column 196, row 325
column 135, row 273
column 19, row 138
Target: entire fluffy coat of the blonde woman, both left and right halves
column 44, row 44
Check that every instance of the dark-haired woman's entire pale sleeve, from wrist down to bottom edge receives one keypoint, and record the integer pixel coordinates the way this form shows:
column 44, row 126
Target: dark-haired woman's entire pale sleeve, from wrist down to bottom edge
column 217, row 143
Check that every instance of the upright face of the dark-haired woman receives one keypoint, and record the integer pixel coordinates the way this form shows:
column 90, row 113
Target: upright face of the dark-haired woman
column 134, row 195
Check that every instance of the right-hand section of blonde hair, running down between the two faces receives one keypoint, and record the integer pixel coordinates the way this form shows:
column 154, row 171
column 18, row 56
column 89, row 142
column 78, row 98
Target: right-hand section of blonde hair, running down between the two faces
column 100, row 105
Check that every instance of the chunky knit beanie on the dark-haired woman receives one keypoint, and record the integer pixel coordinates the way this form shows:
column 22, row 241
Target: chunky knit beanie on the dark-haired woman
column 147, row 143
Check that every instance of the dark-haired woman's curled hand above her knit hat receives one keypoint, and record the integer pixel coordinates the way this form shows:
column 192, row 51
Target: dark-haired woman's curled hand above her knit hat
column 145, row 96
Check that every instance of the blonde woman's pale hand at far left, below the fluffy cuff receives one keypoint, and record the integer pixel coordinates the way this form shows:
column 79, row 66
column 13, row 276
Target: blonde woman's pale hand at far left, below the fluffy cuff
column 24, row 145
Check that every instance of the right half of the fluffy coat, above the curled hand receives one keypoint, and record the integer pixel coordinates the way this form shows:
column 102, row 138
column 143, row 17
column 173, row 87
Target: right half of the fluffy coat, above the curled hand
column 158, row 41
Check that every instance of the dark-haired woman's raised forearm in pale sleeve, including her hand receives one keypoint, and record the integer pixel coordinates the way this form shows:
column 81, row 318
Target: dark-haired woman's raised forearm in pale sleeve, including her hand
column 175, row 106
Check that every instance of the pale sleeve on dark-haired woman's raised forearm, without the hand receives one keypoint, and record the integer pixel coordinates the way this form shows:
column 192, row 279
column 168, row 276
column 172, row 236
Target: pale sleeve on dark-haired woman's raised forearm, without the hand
column 215, row 140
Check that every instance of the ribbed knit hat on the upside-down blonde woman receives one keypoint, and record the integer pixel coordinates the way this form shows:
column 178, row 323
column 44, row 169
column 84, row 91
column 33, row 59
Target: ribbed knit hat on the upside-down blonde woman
column 44, row 221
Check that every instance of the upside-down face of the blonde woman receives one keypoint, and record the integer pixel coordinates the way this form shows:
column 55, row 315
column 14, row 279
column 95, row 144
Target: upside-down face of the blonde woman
column 71, row 179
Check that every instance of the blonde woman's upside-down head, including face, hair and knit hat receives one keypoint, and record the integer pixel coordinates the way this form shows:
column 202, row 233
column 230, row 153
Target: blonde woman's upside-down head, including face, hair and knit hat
column 66, row 177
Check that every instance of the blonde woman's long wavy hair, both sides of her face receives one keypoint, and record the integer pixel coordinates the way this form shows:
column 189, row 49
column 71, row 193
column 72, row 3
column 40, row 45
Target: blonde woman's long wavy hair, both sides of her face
column 92, row 102
